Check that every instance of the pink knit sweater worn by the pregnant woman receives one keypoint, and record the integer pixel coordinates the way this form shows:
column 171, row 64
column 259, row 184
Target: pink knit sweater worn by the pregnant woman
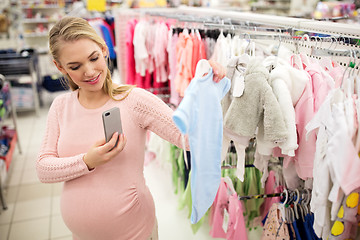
column 111, row 202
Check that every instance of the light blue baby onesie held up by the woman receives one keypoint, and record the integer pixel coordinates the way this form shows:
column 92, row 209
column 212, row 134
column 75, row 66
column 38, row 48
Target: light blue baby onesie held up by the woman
column 200, row 116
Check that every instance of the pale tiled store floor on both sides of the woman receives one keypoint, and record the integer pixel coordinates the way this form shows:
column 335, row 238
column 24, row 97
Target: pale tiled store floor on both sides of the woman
column 33, row 208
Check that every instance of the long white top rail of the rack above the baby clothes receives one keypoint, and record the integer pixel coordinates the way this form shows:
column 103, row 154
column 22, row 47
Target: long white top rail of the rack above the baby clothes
column 206, row 15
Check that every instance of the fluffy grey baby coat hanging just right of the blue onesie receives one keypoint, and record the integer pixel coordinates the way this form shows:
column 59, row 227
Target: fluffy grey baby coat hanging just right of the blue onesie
column 257, row 102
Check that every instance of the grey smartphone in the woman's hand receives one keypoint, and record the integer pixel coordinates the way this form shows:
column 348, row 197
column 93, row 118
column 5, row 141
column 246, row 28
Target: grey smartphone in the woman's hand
column 112, row 123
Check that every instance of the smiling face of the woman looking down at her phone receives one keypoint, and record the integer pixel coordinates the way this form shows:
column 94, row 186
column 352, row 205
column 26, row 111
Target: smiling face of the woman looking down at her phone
column 84, row 61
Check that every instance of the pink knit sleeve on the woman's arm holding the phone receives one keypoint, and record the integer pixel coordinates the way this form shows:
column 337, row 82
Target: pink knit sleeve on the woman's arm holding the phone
column 50, row 168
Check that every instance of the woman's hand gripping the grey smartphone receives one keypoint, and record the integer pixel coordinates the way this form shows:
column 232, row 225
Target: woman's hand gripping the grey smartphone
column 101, row 152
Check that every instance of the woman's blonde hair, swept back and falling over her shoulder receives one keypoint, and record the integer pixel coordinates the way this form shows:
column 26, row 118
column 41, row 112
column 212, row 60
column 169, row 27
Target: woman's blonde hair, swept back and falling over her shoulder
column 74, row 28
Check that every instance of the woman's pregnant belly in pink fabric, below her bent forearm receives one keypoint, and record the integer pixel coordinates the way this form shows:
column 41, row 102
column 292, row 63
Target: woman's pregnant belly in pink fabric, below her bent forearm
column 107, row 212
